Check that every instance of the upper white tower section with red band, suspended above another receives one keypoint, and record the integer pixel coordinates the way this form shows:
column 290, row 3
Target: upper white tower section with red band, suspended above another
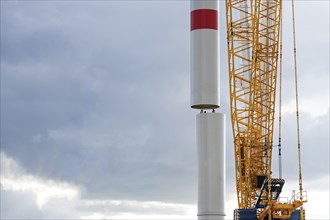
column 205, row 77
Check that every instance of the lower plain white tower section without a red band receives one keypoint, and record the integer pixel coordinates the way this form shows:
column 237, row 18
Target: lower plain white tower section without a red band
column 211, row 166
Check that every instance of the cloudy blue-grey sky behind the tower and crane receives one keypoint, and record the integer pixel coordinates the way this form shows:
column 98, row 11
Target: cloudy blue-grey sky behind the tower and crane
column 95, row 114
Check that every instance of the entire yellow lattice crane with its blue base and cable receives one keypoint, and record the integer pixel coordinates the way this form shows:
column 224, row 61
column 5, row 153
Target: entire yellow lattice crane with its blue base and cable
column 254, row 29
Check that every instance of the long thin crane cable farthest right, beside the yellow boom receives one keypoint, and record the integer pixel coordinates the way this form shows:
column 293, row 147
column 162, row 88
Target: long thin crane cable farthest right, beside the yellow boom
column 297, row 106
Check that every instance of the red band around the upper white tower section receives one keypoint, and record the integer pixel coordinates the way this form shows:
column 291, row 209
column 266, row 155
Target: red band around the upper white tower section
column 204, row 19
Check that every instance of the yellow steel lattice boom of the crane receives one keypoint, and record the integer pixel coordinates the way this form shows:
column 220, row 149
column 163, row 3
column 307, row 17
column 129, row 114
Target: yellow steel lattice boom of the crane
column 253, row 40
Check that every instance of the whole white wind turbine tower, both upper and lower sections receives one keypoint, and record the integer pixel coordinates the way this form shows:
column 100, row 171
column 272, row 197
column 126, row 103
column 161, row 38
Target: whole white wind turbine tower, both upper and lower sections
column 205, row 96
